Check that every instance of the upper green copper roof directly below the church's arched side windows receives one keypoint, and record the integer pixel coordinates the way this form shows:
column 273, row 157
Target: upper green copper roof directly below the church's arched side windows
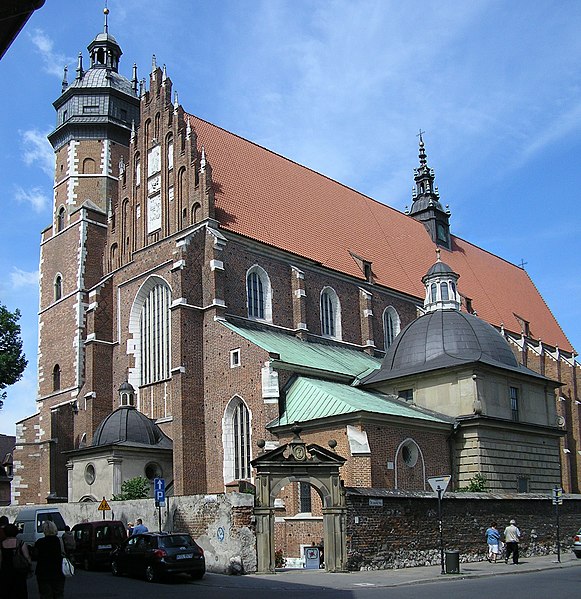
column 305, row 354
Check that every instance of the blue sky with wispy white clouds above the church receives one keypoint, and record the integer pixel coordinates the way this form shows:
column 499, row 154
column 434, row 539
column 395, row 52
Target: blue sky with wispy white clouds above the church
column 341, row 86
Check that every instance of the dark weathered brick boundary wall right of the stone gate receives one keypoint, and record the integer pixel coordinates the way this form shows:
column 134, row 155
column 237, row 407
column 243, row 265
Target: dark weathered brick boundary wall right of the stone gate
column 403, row 531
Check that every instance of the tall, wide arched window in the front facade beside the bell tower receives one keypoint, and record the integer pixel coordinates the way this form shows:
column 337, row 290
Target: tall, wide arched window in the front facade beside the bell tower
column 155, row 337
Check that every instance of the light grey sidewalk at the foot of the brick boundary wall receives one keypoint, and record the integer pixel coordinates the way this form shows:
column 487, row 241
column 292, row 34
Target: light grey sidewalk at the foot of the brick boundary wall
column 419, row 575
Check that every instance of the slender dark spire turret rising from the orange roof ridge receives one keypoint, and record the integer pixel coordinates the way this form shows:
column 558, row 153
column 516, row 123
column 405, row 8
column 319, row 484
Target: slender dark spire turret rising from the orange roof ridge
column 426, row 206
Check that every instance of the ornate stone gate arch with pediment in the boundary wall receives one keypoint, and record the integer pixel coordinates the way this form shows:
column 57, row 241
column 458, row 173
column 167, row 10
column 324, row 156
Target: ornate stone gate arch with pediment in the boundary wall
column 298, row 462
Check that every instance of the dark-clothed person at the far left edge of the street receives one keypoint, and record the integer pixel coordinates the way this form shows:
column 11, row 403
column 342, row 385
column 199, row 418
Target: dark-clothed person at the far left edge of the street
column 12, row 577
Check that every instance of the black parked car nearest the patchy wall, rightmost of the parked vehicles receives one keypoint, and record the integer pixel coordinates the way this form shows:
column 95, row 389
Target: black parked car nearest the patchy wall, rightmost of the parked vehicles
column 155, row 554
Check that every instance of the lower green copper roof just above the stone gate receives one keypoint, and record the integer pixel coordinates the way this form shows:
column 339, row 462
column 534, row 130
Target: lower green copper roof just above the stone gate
column 311, row 399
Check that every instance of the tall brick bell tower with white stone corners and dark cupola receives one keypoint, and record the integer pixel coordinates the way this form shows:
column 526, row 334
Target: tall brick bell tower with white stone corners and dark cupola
column 95, row 115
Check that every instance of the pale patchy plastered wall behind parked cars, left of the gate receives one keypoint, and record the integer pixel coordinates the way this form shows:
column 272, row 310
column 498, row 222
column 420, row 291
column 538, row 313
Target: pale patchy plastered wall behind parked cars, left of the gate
column 222, row 524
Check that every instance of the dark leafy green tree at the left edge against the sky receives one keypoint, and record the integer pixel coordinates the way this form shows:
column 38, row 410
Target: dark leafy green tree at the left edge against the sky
column 12, row 359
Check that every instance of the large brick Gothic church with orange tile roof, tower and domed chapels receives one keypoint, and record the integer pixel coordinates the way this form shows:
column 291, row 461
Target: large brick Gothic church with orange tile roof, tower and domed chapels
column 201, row 295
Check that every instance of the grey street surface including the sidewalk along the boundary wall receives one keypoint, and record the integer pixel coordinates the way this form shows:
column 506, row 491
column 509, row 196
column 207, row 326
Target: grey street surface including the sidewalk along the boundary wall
column 534, row 578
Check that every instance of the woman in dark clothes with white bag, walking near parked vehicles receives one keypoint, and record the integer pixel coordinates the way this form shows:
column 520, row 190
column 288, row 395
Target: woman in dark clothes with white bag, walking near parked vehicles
column 49, row 563
